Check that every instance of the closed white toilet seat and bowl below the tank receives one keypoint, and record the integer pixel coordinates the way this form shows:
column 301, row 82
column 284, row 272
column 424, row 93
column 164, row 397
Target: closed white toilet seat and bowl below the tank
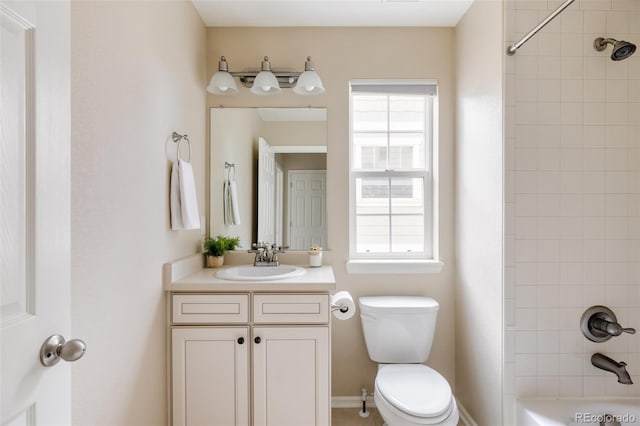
column 415, row 393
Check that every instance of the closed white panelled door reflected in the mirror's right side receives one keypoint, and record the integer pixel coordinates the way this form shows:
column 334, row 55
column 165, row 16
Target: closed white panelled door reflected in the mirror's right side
column 307, row 209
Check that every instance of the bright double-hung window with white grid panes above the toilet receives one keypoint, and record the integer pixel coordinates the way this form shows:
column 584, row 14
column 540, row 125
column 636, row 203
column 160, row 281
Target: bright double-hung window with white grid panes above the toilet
column 391, row 170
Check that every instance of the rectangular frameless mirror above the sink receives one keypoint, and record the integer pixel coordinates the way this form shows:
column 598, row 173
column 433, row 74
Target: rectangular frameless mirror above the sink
column 268, row 175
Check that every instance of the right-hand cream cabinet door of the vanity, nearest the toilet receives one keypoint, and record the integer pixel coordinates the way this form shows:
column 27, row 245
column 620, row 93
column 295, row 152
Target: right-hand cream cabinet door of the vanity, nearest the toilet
column 291, row 376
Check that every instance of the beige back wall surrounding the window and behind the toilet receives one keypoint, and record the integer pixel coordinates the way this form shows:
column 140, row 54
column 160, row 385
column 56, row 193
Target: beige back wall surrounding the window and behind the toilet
column 342, row 54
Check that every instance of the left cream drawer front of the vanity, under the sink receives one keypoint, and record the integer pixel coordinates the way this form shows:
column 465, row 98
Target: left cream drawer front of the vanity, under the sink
column 210, row 308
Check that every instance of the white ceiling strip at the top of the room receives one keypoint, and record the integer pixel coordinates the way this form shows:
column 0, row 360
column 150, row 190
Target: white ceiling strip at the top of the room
column 331, row 13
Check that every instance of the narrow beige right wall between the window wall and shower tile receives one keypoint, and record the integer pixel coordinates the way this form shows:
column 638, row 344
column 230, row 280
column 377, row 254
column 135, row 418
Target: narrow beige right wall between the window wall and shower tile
column 479, row 215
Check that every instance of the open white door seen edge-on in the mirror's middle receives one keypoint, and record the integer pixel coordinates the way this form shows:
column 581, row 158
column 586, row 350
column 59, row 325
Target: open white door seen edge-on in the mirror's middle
column 266, row 193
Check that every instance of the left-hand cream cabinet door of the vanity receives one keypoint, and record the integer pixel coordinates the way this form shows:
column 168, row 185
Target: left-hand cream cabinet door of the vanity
column 210, row 373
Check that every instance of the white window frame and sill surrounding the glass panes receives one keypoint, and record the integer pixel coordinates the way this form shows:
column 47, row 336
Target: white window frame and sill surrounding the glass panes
column 407, row 261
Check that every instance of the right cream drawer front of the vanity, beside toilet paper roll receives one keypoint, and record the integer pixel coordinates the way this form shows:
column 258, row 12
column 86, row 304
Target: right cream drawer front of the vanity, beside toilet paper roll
column 290, row 308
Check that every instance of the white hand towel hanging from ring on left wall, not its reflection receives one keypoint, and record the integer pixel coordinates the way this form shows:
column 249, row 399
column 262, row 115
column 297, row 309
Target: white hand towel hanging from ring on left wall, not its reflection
column 184, row 202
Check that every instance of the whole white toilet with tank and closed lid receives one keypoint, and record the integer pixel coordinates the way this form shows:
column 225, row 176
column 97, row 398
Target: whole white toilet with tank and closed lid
column 398, row 332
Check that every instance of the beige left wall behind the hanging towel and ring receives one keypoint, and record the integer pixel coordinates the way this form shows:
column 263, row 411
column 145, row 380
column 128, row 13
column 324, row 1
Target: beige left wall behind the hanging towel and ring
column 138, row 73
